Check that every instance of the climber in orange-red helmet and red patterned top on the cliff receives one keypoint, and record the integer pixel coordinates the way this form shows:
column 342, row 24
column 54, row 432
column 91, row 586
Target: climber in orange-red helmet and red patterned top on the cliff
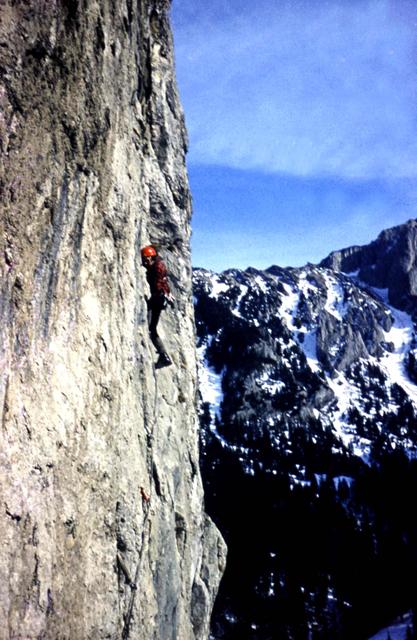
column 156, row 274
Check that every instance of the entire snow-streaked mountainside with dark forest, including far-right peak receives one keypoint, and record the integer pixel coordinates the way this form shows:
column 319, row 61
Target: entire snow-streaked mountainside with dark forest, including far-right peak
column 309, row 440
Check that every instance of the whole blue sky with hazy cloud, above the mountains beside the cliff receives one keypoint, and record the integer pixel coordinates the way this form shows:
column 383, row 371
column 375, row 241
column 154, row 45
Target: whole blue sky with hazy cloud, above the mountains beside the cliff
column 302, row 119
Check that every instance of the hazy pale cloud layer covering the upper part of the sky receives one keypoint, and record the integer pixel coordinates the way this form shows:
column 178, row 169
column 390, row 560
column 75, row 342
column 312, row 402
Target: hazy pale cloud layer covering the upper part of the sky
column 302, row 88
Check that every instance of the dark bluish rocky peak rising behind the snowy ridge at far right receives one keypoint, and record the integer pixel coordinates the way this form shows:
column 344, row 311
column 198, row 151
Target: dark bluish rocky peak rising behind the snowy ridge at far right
column 390, row 262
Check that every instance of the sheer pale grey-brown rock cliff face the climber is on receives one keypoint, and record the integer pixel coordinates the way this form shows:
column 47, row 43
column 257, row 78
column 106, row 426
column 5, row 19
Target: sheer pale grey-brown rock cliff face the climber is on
column 100, row 483
